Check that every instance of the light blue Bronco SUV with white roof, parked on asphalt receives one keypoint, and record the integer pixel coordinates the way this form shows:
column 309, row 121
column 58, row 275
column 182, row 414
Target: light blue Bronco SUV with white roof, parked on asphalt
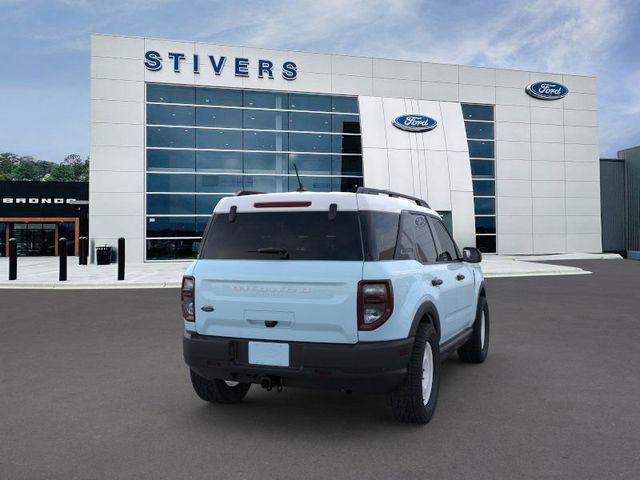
column 358, row 291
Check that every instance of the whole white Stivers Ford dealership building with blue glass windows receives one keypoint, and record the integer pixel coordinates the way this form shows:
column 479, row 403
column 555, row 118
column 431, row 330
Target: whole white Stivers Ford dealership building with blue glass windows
column 509, row 157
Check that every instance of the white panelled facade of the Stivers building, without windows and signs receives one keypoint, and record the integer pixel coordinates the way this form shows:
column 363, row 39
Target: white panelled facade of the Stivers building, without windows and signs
column 547, row 162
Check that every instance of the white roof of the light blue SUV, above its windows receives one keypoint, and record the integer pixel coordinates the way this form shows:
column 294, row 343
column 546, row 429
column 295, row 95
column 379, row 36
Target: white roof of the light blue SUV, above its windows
column 268, row 202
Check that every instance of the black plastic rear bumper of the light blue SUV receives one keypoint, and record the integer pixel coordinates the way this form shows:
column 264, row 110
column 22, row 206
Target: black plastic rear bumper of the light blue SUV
column 373, row 367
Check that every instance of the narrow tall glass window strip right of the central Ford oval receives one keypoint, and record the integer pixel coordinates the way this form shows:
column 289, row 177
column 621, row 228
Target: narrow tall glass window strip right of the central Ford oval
column 480, row 127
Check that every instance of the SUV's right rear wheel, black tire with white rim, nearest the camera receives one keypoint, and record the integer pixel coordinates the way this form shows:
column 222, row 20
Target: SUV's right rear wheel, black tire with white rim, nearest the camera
column 415, row 400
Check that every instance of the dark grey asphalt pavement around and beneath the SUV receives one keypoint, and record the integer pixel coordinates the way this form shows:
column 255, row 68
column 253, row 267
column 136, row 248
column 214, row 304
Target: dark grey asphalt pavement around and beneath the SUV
column 93, row 386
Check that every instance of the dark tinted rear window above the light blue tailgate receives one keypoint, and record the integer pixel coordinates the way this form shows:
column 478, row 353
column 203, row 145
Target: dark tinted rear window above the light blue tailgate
column 280, row 235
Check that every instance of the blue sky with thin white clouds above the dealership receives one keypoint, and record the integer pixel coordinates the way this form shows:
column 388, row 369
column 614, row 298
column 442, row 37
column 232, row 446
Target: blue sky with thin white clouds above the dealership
column 44, row 77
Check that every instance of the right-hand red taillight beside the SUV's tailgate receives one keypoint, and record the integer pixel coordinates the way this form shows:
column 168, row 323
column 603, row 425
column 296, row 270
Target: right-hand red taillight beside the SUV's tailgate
column 375, row 303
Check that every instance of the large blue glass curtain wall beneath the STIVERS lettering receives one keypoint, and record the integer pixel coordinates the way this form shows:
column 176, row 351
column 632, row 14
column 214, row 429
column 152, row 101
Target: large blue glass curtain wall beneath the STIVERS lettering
column 204, row 143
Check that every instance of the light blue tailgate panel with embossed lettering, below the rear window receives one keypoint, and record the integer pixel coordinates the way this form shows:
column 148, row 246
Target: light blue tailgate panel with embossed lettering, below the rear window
column 288, row 300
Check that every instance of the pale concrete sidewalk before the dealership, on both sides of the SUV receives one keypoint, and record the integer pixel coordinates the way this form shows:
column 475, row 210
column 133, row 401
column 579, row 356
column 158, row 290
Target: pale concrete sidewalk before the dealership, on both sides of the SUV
column 42, row 272
